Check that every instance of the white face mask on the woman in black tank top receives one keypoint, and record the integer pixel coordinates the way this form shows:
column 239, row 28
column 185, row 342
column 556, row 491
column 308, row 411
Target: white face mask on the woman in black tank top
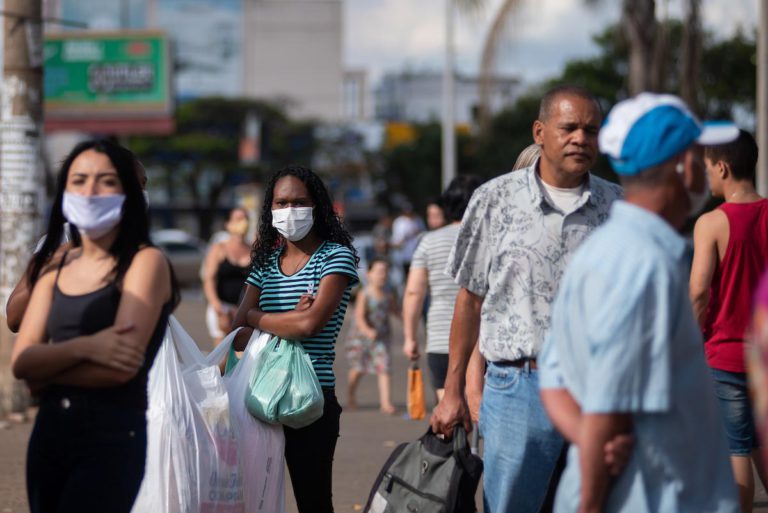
column 94, row 216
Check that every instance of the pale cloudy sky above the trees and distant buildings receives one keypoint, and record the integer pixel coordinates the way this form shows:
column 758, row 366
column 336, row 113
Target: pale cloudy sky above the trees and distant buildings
column 392, row 35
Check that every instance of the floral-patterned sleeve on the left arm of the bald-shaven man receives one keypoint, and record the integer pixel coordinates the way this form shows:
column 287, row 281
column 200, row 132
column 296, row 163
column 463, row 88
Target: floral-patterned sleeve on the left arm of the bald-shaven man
column 470, row 258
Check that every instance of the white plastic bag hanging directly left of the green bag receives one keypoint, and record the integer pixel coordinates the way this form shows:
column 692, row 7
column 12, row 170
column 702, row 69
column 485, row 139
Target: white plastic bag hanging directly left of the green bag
column 261, row 445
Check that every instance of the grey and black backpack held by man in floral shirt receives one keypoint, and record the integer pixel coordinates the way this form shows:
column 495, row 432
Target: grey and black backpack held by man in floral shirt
column 429, row 475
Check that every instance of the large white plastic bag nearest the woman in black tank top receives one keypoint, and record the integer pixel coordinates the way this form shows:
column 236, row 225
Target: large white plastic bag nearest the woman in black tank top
column 193, row 456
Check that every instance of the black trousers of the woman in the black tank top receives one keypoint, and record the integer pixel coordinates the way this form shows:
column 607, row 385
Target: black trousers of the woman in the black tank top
column 85, row 456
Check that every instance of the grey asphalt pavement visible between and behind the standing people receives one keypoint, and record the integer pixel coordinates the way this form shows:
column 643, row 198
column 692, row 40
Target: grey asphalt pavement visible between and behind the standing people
column 367, row 436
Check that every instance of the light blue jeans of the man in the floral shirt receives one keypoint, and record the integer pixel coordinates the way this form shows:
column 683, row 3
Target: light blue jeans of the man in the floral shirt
column 521, row 447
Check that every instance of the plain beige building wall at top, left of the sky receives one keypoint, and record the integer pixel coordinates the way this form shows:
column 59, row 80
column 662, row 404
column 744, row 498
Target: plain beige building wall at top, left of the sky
column 292, row 51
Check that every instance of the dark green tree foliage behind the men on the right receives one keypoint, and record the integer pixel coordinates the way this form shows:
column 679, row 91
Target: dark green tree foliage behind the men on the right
column 726, row 88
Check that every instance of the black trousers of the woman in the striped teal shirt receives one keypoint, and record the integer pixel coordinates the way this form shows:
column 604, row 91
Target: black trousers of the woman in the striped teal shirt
column 309, row 454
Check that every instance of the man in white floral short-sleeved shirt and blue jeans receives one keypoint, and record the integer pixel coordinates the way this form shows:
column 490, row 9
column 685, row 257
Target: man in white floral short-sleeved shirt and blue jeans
column 515, row 241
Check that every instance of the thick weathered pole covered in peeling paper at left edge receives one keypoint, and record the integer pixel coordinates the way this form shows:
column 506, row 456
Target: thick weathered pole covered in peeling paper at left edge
column 22, row 189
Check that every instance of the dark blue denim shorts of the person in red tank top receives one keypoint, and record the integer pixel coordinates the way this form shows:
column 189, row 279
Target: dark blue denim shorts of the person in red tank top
column 732, row 393
